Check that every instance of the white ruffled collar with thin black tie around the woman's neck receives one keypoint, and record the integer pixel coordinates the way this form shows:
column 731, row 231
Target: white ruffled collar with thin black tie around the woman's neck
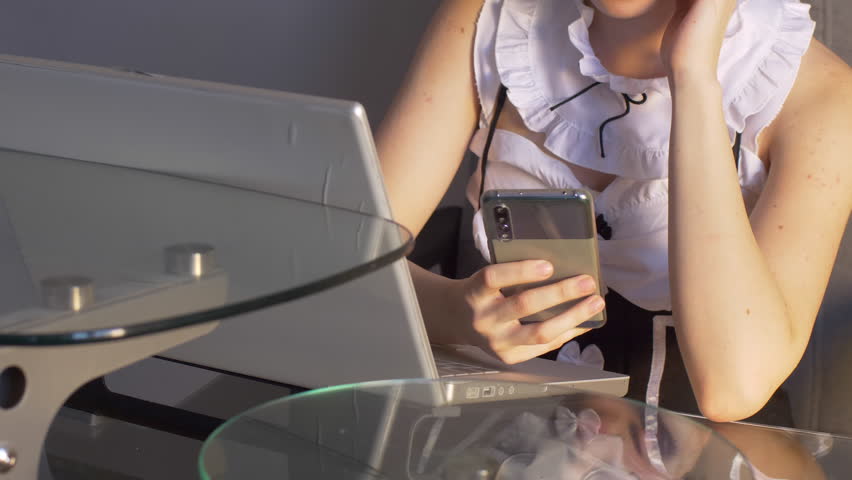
column 764, row 43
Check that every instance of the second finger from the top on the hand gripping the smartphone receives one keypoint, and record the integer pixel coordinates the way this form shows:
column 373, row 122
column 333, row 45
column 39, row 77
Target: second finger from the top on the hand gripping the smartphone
column 541, row 298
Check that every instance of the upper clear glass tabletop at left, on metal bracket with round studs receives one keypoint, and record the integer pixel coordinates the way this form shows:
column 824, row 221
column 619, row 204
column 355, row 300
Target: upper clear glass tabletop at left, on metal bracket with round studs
column 92, row 252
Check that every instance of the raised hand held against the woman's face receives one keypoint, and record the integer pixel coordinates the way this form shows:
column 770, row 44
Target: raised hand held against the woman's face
column 693, row 39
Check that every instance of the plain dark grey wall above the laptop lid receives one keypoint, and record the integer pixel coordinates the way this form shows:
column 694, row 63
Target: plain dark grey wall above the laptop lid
column 355, row 49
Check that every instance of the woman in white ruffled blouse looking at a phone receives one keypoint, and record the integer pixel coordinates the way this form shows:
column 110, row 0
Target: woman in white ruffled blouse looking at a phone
column 739, row 248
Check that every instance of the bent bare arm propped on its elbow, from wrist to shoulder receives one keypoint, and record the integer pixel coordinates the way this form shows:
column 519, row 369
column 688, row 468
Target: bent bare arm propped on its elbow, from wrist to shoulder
column 746, row 291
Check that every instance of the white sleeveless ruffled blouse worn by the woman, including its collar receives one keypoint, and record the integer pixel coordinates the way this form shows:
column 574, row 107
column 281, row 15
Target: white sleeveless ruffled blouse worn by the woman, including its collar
column 540, row 50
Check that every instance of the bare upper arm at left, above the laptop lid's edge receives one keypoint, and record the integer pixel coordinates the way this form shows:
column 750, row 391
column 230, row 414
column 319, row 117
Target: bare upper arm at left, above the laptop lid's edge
column 423, row 138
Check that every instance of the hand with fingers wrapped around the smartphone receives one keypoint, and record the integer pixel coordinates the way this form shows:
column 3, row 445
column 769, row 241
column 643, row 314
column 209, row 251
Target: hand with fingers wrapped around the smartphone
column 494, row 319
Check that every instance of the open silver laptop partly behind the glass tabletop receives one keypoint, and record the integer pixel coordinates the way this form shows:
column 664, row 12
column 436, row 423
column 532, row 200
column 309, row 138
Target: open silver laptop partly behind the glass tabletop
column 316, row 149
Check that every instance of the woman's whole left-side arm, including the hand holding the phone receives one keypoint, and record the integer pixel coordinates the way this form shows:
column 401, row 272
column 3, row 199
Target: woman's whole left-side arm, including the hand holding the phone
column 421, row 142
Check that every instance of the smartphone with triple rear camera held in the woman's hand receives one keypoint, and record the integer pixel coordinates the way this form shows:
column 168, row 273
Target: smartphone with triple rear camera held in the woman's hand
column 553, row 225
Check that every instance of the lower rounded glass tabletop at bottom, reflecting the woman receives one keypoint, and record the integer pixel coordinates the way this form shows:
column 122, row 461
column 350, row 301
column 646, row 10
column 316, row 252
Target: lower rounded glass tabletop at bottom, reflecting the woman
column 425, row 430
